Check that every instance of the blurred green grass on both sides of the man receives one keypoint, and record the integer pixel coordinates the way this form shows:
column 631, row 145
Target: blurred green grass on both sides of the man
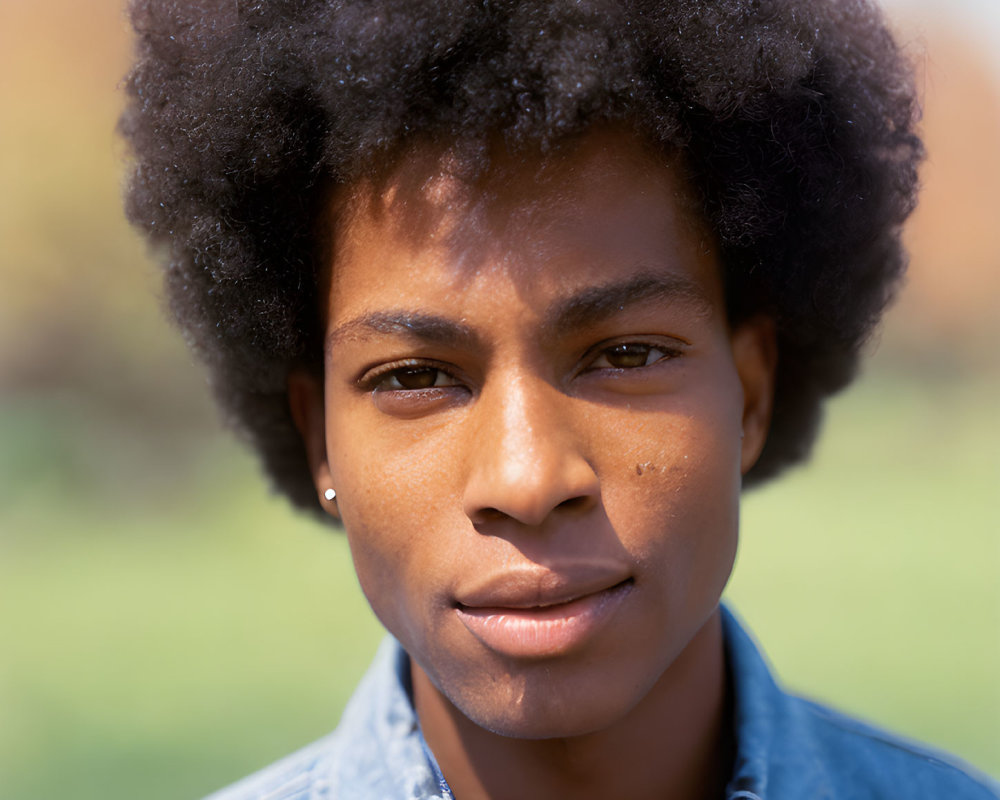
column 162, row 641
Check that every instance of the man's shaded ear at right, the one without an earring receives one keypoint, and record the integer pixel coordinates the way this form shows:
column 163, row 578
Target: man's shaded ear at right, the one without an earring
column 755, row 354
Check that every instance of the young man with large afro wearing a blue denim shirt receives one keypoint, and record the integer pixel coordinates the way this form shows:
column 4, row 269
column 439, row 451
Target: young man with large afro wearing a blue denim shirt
column 523, row 294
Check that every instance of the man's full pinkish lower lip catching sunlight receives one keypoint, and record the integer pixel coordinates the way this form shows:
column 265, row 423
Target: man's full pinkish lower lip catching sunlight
column 543, row 631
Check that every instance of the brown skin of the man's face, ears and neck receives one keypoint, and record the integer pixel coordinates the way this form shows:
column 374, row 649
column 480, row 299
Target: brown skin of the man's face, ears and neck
column 531, row 382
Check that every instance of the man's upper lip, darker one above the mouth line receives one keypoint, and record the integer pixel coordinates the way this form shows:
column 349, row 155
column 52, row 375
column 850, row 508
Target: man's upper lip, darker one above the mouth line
column 536, row 586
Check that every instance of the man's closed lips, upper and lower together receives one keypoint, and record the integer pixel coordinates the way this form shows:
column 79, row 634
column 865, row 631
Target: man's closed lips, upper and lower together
column 542, row 613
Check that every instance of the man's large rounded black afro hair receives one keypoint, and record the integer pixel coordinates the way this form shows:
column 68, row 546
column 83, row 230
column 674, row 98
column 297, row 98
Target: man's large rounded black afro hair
column 795, row 120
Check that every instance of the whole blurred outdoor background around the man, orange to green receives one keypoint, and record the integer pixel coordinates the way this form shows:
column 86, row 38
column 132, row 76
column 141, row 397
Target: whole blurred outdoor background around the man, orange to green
column 167, row 626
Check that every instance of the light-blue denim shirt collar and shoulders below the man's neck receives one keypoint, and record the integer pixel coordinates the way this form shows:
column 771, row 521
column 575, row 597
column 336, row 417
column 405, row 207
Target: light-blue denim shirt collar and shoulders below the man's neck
column 787, row 748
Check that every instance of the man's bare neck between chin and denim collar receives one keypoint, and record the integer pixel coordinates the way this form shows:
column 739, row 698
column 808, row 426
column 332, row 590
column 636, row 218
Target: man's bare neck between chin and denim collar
column 675, row 743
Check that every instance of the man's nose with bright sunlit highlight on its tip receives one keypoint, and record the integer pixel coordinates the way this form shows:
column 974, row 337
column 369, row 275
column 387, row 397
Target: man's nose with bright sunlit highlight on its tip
column 526, row 462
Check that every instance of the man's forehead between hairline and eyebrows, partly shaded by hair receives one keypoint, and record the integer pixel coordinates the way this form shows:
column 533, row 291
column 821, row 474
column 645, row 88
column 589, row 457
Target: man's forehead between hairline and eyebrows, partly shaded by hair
column 582, row 215
